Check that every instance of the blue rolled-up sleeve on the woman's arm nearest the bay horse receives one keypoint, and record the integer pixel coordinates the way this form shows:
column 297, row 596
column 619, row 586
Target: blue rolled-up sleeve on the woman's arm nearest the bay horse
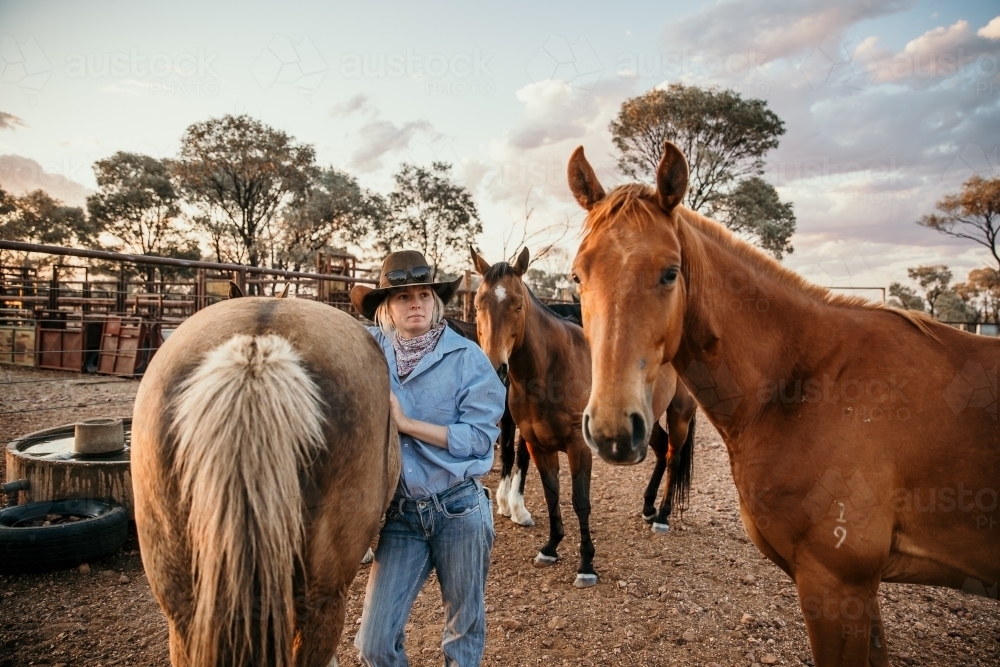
column 480, row 407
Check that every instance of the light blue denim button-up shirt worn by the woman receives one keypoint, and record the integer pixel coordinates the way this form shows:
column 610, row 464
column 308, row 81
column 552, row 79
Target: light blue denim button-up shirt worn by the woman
column 454, row 385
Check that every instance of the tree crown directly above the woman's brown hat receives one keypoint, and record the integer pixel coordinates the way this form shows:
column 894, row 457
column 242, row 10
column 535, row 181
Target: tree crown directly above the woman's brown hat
column 429, row 213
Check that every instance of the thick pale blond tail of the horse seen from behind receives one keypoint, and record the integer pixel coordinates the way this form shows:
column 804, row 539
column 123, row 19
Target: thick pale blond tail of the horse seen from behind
column 247, row 422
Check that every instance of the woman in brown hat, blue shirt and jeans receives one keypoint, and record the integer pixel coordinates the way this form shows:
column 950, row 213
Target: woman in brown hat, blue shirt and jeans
column 446, row 401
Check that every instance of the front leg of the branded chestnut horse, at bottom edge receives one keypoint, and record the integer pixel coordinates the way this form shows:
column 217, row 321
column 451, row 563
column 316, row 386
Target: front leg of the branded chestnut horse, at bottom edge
column 842, row 619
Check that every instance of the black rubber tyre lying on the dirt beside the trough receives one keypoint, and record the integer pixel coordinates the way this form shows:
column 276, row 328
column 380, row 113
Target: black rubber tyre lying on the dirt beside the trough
column 42, row 548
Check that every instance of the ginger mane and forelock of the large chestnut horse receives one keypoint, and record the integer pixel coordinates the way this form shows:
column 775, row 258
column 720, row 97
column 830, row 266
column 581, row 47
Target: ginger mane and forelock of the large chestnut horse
column 634, row 201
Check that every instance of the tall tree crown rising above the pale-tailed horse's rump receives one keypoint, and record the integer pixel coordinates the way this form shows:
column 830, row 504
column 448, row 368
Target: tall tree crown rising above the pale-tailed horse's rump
column 241, row 172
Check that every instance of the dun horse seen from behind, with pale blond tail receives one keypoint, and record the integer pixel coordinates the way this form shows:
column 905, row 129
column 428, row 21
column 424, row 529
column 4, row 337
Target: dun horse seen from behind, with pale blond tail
column 263, row 457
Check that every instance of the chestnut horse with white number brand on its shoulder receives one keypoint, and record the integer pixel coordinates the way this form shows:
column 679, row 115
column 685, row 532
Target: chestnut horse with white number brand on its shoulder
column 863, row 440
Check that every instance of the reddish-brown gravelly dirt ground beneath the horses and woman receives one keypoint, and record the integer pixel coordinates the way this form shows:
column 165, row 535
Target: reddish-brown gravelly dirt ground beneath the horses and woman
column 700, row 595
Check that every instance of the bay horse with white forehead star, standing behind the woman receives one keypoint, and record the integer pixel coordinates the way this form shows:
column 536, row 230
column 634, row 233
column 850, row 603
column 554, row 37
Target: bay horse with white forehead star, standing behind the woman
column 546, row 360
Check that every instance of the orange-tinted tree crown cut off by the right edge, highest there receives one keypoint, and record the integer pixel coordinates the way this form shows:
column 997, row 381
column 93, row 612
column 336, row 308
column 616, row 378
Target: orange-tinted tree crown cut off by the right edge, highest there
column 973, row 214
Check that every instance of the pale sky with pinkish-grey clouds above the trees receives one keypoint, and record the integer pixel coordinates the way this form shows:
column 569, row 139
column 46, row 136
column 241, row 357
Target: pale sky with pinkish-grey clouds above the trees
column 887, row 105
